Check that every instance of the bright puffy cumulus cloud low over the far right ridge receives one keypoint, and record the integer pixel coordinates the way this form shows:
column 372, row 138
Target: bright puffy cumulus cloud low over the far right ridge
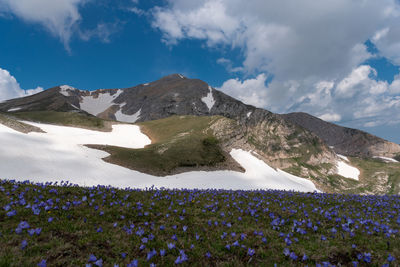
column 358, row 97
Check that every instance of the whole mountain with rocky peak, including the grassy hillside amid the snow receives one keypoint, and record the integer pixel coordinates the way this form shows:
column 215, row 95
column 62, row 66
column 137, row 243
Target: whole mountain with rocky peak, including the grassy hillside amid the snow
column 297, row 143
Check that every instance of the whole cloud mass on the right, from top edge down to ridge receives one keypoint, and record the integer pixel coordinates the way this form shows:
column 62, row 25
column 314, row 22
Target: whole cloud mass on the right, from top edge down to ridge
column 314, row 50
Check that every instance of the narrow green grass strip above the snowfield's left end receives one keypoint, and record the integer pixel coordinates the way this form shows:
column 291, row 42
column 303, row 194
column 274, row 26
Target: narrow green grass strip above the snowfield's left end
column 62, row 118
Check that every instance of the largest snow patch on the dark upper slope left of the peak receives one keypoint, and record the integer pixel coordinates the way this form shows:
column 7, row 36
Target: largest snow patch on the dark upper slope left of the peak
column 97, row 105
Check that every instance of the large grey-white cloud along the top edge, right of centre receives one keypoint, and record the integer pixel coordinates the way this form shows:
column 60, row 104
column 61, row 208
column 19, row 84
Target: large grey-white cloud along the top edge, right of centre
column 293, row 41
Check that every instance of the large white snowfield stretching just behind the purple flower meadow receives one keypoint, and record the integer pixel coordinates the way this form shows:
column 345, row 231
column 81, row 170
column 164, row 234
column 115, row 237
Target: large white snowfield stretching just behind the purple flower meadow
column 59, row 155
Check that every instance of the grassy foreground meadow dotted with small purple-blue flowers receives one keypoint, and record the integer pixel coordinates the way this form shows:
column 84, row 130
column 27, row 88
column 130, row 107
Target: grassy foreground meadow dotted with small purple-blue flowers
column 66, row 225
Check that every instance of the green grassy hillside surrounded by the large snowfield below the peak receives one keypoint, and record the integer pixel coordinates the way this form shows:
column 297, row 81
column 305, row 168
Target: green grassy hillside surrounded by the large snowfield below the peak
column 178, row 142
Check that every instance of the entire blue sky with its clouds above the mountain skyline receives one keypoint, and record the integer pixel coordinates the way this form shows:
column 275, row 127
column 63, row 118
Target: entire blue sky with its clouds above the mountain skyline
column 338, row 60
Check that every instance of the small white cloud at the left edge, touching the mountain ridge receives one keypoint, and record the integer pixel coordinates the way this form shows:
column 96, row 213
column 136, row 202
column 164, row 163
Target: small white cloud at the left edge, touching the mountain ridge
column 10, row 88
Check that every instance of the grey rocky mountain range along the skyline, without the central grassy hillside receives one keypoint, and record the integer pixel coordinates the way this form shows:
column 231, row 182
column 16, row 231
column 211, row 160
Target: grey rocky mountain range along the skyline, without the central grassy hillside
column 298, row 143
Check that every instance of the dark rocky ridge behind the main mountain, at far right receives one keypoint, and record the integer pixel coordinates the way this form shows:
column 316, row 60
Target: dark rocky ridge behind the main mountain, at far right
column 345, row 141
